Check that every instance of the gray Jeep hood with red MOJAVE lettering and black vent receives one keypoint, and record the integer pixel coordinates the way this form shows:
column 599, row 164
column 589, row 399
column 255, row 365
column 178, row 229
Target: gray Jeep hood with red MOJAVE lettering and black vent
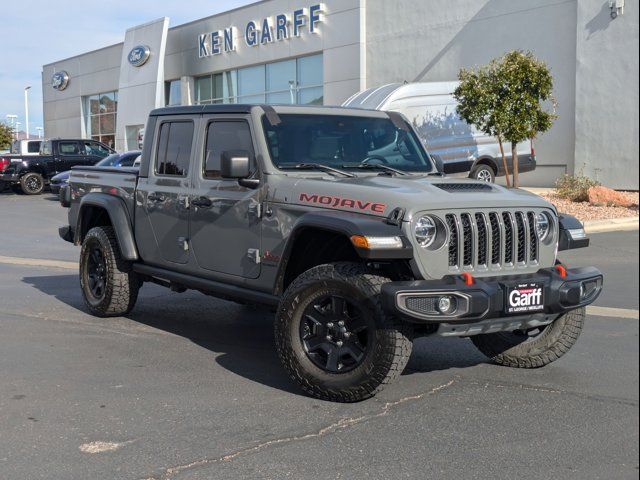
column 379, row 195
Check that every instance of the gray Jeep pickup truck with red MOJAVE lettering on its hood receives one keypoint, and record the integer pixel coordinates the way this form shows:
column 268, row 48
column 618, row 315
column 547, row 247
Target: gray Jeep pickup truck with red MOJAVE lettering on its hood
column 341, row 221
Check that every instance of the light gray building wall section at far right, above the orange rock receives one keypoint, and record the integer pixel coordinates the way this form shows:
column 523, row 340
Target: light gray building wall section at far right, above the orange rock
column 607, row 94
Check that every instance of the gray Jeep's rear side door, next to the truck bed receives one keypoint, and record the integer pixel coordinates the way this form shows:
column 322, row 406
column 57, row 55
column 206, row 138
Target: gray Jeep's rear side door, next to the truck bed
column 162, row 208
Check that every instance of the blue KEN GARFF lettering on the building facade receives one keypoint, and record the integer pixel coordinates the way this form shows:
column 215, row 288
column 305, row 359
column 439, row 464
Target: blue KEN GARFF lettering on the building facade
column 277, row 28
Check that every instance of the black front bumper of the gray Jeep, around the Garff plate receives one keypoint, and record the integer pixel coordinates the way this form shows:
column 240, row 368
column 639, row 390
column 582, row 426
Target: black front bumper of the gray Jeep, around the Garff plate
column 486, row 298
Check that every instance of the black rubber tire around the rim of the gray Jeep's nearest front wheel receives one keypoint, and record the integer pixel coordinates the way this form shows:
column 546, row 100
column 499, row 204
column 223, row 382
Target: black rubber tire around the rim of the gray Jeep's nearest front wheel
column 386, row 358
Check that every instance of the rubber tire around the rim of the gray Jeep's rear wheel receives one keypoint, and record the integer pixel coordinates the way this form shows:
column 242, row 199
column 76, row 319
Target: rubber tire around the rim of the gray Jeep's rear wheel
column 121, row 282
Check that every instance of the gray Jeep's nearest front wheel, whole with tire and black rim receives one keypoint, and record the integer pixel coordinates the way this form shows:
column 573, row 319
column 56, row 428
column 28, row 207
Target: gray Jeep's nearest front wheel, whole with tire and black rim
column 333, row 337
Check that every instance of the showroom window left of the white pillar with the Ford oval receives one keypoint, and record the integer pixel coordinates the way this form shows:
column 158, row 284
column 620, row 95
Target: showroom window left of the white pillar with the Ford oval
column 100, row 117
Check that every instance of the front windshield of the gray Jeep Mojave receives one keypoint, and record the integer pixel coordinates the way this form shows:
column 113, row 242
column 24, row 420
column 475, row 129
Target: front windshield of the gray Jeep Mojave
column 344, row 142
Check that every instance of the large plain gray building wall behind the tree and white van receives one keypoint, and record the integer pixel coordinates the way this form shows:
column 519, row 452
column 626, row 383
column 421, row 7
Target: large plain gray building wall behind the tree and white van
column 418, row 41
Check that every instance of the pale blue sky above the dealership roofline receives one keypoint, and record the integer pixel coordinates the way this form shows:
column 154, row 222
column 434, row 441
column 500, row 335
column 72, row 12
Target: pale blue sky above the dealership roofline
column 38, row 32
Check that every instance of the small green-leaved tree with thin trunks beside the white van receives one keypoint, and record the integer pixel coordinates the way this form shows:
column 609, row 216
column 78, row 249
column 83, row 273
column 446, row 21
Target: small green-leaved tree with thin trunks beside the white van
column 508, row 99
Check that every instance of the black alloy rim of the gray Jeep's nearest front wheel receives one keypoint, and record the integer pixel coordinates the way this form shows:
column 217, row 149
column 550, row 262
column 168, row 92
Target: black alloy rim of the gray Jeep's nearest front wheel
column 336, row 334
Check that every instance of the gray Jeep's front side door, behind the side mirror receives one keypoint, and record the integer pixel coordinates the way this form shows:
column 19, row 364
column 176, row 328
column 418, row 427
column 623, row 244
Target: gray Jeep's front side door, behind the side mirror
column 225, row 217
